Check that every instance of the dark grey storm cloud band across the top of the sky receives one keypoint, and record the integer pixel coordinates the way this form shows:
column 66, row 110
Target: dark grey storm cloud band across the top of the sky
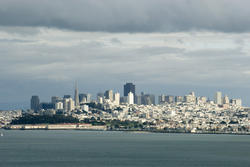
column 129, row 15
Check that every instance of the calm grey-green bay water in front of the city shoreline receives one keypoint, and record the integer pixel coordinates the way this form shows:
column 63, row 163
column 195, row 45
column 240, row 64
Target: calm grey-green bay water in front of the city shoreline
column 41, row 148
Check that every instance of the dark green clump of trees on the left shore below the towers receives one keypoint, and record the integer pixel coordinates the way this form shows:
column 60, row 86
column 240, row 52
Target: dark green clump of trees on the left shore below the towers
column 41, row 119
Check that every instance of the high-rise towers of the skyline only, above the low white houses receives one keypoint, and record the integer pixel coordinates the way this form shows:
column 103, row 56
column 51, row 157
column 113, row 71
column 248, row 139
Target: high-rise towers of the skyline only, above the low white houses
column 74, row 102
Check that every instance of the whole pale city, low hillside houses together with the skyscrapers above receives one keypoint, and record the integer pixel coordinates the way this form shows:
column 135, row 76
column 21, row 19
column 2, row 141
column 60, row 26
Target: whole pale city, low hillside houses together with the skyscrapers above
column 187, row 113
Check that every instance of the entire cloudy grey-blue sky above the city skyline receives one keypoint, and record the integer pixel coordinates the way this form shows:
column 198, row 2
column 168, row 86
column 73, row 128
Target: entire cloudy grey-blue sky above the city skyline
column 162, row 46
